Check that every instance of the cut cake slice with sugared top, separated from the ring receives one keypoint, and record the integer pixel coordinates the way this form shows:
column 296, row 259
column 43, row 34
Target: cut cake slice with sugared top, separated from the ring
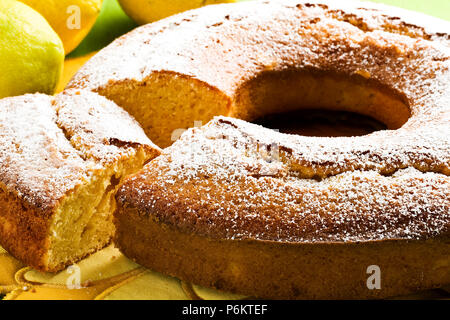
column 61, row 161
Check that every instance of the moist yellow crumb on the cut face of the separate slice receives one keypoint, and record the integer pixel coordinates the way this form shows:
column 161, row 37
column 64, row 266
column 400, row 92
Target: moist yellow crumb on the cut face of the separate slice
column 83, row 223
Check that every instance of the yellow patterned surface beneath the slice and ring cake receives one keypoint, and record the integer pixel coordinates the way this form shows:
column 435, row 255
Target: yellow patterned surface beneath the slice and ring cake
column 108, row 275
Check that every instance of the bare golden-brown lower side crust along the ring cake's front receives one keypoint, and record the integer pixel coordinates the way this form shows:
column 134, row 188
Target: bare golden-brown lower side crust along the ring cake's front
column 276, row 270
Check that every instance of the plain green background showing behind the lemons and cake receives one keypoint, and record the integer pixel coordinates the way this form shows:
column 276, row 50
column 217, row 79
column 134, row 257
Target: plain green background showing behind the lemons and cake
column 113, row 22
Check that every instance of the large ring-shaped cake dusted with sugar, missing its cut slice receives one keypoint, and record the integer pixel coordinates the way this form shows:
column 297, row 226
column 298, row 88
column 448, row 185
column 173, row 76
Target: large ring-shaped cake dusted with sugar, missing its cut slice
column 239, row 207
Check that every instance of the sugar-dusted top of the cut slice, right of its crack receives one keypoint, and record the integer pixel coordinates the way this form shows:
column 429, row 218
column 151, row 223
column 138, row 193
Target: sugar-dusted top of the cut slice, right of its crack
column 98, row 127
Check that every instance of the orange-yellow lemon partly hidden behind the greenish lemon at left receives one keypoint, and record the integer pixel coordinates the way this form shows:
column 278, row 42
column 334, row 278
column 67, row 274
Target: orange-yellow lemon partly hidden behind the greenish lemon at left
column 71, row 19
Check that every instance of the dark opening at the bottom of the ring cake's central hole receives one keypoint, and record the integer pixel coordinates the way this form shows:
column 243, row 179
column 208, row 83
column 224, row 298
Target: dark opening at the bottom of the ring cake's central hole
column 321, row 123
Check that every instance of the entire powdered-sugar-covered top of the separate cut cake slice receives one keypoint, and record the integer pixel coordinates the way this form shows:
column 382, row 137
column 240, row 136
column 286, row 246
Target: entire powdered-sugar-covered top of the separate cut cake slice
column 50, row 145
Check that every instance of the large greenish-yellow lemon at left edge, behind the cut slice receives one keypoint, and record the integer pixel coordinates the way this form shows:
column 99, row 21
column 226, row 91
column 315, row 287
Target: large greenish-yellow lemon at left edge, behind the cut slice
column 31, row 53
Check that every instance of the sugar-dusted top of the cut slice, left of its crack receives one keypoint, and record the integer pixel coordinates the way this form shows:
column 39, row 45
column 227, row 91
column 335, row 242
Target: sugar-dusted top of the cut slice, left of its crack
column 37, row 162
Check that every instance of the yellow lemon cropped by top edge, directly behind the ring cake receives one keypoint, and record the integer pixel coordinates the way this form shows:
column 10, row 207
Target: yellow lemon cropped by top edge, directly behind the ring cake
column 145, row 11
